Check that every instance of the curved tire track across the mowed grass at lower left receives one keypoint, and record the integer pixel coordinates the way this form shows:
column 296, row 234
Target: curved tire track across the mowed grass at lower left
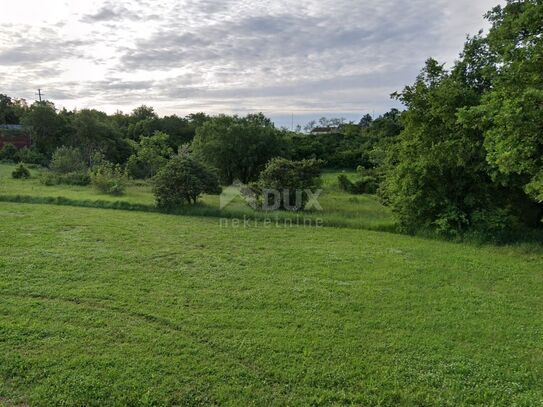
column 254, row 370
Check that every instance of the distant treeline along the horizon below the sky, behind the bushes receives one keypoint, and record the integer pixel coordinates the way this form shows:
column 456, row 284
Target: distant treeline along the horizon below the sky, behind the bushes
column 238, row 147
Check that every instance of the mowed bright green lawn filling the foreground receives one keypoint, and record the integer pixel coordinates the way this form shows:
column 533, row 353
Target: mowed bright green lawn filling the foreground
column 103, row 307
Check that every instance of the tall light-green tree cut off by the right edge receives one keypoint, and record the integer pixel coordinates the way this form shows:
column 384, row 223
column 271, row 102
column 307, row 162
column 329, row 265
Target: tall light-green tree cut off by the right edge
column 511, row 113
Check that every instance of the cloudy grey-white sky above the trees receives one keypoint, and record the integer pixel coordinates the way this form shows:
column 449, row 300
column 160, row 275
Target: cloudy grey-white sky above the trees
column 303, row 57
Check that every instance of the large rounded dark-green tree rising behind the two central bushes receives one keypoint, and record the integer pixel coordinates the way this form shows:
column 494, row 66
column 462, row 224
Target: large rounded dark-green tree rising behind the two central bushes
column 239, row 147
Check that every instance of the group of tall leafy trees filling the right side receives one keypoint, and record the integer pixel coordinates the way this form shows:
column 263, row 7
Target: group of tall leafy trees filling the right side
column 470, row 158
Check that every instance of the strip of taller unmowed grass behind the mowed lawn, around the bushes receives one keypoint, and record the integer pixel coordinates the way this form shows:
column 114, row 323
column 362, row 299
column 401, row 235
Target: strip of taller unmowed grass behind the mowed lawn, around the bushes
column 339, row 208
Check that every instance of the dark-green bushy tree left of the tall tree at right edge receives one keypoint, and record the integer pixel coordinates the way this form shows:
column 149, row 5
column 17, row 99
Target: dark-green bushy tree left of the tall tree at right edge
column 438, row 175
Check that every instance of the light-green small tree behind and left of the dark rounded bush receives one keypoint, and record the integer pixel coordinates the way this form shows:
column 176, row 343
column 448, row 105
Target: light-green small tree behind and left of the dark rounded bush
column 152, row 153
